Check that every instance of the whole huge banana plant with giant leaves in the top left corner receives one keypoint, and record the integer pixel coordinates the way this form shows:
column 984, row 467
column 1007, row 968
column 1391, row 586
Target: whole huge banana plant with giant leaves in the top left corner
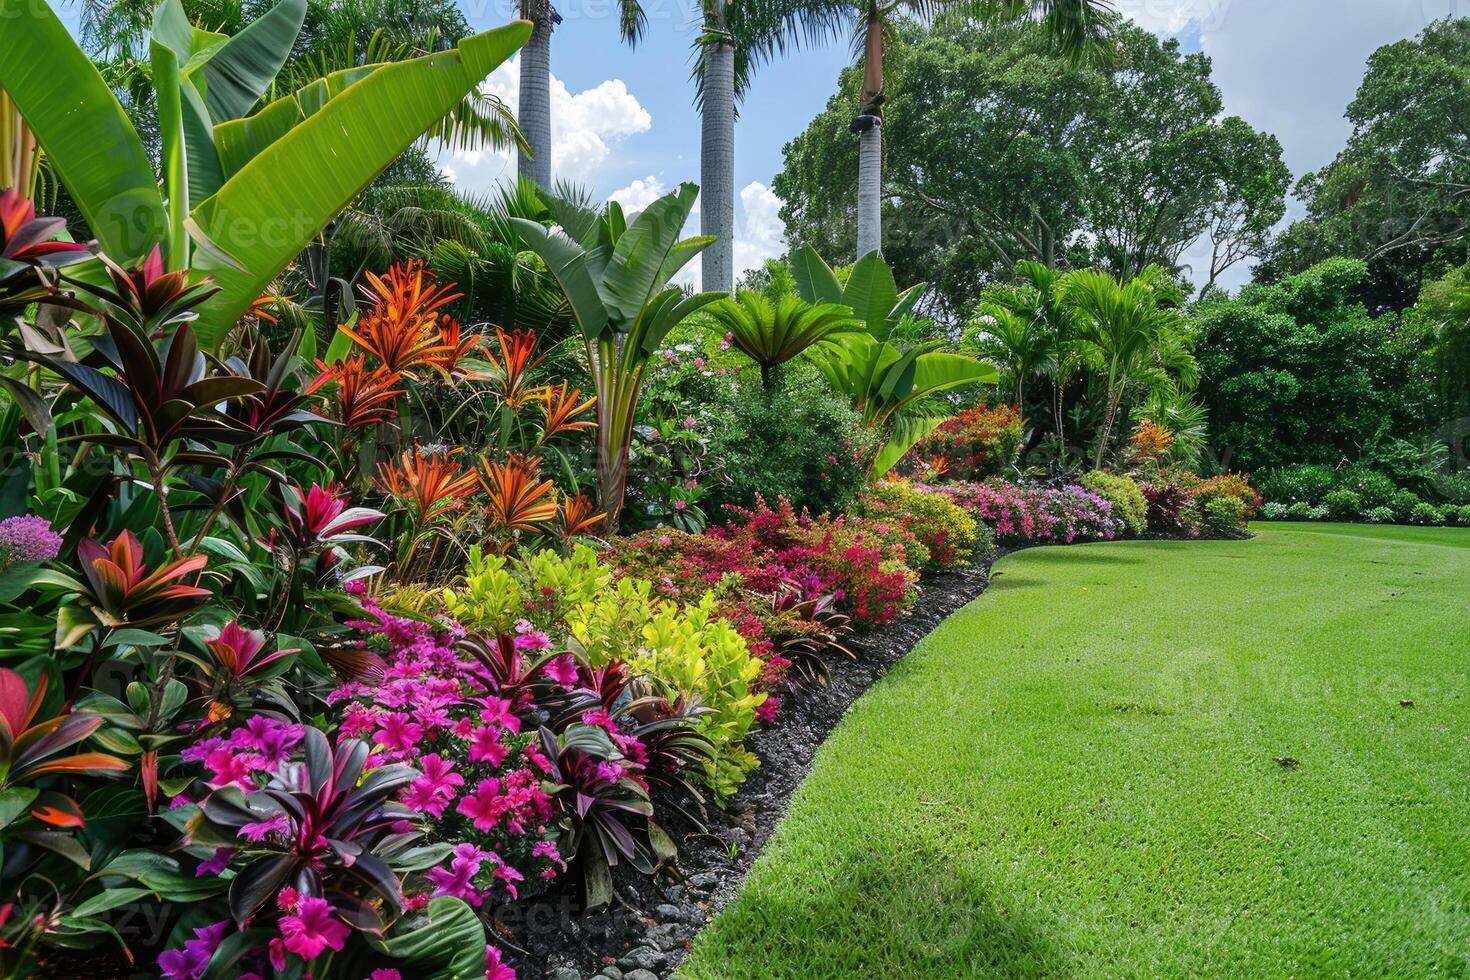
column 242, row 195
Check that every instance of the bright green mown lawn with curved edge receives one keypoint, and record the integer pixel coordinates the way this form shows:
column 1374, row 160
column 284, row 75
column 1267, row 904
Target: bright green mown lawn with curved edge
column 1075, row 777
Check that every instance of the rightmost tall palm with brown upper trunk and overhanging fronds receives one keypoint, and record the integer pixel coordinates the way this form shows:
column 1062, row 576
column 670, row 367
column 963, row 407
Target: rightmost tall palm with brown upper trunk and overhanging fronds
column 1078, row 29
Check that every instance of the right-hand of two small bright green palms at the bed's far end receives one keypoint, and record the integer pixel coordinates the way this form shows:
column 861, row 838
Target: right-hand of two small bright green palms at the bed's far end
column 1131, row 337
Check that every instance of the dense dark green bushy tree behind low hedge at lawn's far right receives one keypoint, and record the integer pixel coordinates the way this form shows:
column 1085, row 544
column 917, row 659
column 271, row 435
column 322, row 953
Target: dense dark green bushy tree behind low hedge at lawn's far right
column 1302, row 372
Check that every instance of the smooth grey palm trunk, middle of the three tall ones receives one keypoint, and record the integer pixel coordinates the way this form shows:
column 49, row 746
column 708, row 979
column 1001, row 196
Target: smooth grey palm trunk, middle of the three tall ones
column 718, row 165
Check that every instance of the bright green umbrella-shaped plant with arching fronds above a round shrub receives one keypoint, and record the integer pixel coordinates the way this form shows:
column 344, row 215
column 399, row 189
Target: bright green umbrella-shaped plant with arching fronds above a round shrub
column 771, row 334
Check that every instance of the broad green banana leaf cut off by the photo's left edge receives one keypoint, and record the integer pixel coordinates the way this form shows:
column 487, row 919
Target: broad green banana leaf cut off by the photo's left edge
column 83, row 130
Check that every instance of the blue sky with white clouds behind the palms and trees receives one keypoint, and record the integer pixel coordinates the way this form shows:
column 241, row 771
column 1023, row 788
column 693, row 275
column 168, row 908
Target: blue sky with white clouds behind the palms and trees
column 624, row 121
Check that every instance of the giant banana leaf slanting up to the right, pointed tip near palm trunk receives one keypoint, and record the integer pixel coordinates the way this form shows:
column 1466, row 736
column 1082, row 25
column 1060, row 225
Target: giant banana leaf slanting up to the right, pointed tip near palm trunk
column 279, row 202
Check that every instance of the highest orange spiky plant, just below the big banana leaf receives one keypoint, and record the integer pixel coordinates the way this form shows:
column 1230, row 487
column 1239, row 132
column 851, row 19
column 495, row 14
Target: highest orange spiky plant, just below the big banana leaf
column 402, row 330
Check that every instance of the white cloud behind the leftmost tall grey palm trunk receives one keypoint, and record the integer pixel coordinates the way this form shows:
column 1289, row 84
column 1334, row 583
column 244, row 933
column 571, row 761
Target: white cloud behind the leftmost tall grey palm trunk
column 586, row 130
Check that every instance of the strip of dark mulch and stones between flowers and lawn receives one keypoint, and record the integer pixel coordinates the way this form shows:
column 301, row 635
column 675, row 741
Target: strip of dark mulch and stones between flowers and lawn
column 653, row 922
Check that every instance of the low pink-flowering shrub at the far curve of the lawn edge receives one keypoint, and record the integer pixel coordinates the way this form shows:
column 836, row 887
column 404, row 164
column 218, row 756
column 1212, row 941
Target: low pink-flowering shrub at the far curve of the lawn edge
column 1037, row 515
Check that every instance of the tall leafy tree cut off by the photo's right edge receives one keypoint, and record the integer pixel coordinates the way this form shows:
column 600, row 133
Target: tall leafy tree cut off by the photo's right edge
column 1399, row 196
